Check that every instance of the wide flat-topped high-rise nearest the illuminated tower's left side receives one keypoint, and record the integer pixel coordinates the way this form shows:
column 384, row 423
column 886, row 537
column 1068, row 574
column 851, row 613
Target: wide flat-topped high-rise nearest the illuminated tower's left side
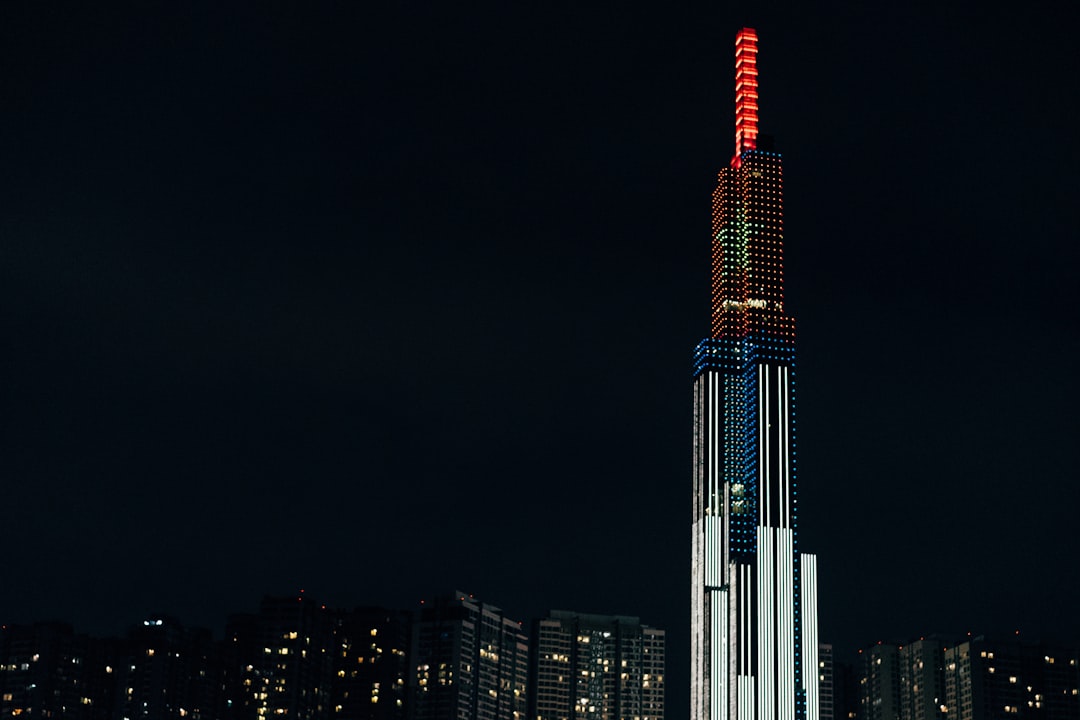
column 599, row 668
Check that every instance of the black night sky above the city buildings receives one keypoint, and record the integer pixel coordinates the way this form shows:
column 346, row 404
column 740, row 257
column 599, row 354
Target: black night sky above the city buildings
column 385, row 303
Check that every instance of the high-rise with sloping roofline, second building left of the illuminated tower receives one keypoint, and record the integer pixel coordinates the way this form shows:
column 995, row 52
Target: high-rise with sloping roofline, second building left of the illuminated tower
column 470, row 662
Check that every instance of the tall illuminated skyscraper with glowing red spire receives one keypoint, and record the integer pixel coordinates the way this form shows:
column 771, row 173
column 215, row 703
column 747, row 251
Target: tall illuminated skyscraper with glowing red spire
column 754, row 616
